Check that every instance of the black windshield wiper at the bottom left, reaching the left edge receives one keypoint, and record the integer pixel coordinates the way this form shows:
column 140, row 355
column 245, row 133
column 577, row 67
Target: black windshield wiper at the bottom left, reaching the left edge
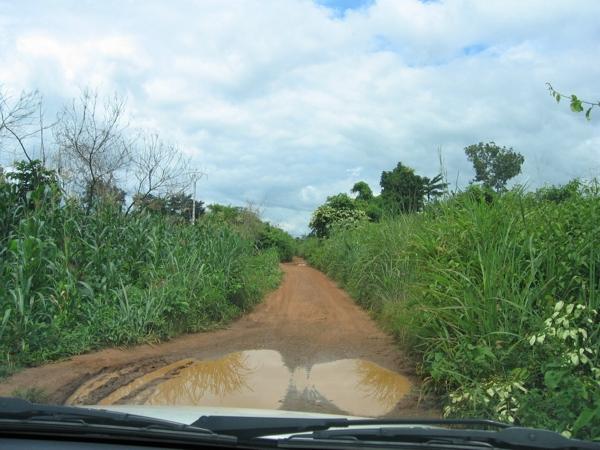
column 23, row 412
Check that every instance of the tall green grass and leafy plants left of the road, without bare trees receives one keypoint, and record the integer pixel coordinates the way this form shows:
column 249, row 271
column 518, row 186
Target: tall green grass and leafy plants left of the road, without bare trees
column 72, row 281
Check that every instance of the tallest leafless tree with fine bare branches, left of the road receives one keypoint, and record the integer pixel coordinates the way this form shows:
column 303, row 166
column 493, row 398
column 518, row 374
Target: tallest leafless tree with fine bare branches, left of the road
column 92, row 142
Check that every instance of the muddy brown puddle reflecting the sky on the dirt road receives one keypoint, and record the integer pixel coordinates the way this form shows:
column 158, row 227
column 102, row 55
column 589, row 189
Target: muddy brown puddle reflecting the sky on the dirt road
column 260, row 379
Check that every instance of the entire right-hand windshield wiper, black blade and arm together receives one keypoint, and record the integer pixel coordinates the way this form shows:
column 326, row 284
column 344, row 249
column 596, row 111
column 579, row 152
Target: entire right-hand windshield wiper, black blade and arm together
column 421, row 431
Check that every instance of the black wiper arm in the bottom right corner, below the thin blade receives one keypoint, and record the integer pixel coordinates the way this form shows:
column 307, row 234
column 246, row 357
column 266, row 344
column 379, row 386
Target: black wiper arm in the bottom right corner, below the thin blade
column 511, row 437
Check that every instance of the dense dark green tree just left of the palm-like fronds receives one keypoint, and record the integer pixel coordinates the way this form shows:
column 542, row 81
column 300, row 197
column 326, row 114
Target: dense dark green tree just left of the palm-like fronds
column 402, row 190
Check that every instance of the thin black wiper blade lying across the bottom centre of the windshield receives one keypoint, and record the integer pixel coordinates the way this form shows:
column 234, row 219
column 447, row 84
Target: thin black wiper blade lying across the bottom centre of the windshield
column 252, row 427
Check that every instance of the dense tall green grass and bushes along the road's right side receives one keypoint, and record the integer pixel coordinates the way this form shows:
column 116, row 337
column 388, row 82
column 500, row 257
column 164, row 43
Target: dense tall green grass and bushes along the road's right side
column 497, row 296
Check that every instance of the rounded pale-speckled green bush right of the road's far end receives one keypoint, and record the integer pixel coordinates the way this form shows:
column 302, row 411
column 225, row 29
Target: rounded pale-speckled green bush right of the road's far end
column 339, row 211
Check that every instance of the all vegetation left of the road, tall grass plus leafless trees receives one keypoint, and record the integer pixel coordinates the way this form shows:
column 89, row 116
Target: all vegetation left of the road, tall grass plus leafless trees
column 101, row 245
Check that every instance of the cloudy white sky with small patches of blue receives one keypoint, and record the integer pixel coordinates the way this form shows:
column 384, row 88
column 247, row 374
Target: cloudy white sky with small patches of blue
column 281, row 103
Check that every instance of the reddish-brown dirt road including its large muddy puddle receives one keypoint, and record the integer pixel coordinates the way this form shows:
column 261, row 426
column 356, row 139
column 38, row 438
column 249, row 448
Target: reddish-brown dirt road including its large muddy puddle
column 306, row 347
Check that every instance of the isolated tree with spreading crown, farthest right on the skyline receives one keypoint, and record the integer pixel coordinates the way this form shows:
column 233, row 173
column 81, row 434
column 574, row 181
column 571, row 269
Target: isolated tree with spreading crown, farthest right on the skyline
column 494, row 165
